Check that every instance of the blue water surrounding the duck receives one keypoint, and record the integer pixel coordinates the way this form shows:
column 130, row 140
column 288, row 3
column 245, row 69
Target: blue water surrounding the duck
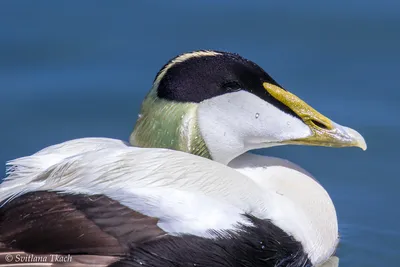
column 72, row 69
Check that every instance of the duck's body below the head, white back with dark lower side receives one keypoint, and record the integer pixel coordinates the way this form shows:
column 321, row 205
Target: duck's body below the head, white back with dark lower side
column 209, row 207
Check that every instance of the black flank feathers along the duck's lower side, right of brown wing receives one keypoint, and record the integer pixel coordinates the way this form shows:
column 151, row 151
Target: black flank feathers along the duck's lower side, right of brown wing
column 261, row 245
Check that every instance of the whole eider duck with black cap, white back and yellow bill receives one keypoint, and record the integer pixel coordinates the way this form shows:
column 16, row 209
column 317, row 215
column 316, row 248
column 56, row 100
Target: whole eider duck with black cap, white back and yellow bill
column 183, row 192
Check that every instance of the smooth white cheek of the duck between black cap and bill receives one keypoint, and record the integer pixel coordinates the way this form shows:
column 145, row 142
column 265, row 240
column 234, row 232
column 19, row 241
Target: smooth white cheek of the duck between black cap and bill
column 241, row 121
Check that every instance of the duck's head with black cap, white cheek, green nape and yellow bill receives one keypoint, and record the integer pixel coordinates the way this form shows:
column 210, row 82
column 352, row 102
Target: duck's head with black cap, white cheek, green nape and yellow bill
column 220, row 105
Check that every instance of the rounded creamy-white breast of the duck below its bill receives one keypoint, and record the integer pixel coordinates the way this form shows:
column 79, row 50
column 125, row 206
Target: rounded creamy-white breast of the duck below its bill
column 313, row 220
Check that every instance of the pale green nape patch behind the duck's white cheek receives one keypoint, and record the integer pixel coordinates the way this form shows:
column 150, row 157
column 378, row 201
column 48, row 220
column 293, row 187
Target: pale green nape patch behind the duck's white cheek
column 168, row 124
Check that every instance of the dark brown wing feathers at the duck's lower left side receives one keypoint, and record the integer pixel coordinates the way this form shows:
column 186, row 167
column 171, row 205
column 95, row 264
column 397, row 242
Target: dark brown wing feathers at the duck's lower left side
column 51, row 223
